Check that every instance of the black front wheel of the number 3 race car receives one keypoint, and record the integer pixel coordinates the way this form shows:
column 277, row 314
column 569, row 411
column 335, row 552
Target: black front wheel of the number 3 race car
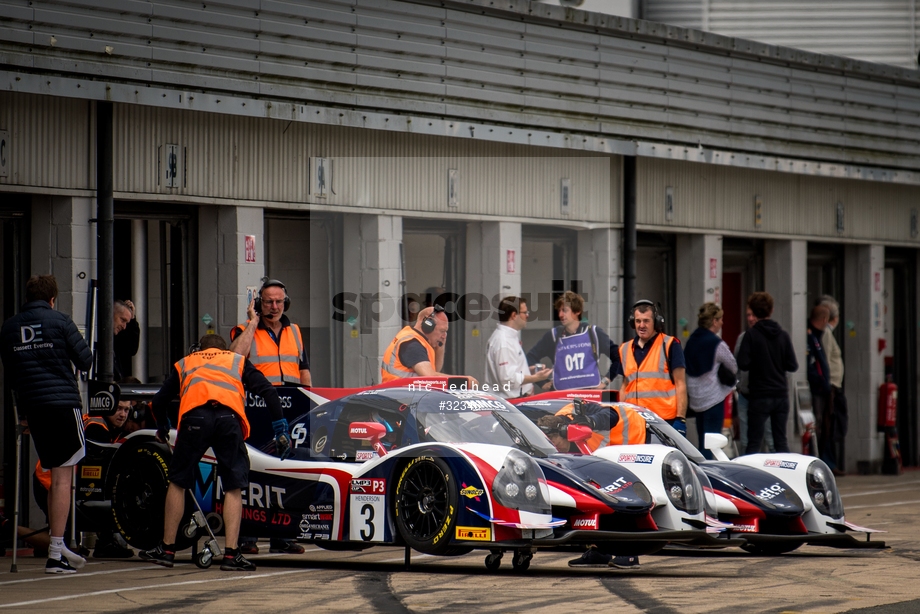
column 426, row 505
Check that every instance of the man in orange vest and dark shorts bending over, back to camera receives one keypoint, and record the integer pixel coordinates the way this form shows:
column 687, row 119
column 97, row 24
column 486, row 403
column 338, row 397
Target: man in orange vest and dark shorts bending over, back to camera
column 212, row 415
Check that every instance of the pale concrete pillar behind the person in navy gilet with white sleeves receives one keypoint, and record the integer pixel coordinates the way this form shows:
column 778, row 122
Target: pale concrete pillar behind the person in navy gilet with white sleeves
column 698, row 277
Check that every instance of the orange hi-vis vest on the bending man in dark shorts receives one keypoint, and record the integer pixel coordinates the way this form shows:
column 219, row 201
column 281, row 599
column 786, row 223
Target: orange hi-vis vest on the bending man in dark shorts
column 212, row 375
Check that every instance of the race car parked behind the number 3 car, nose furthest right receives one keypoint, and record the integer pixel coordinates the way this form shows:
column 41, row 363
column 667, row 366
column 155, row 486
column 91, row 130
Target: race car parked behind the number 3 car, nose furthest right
column 776, row 502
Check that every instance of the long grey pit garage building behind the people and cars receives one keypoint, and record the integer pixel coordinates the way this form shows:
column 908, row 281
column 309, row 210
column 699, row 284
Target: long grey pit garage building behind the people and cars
column 360, row 150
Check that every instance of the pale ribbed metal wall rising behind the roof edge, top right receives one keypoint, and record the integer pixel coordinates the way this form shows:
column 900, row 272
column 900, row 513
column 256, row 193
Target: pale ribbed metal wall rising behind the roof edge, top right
column 874, row 31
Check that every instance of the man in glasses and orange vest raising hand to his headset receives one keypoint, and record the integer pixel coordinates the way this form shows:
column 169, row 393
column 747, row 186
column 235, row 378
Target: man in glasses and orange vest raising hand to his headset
column 274, row 345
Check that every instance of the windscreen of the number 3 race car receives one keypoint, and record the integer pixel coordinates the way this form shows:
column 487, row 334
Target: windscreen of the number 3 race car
column 475, row 419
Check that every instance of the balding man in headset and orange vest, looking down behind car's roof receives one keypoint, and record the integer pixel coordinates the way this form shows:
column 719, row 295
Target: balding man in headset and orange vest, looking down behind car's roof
column 417, row 350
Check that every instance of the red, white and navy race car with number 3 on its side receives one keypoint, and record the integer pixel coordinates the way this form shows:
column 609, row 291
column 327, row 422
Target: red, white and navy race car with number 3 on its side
column 441, row 471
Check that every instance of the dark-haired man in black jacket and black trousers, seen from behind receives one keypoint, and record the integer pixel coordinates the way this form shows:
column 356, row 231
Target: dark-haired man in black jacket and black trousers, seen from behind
column 766, row 353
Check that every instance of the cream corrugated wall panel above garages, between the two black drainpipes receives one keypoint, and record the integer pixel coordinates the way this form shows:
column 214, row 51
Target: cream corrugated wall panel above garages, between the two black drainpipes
column 267, row 161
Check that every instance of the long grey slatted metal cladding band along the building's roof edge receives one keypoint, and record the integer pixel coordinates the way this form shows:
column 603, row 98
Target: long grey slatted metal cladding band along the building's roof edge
column 523, row 65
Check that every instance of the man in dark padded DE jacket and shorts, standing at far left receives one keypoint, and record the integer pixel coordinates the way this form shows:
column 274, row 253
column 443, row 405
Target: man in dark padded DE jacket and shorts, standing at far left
column 39, row 347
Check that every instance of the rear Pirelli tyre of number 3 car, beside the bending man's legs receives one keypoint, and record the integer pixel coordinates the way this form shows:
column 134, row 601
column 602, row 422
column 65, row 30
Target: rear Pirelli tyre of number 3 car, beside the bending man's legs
column 138, row 480
